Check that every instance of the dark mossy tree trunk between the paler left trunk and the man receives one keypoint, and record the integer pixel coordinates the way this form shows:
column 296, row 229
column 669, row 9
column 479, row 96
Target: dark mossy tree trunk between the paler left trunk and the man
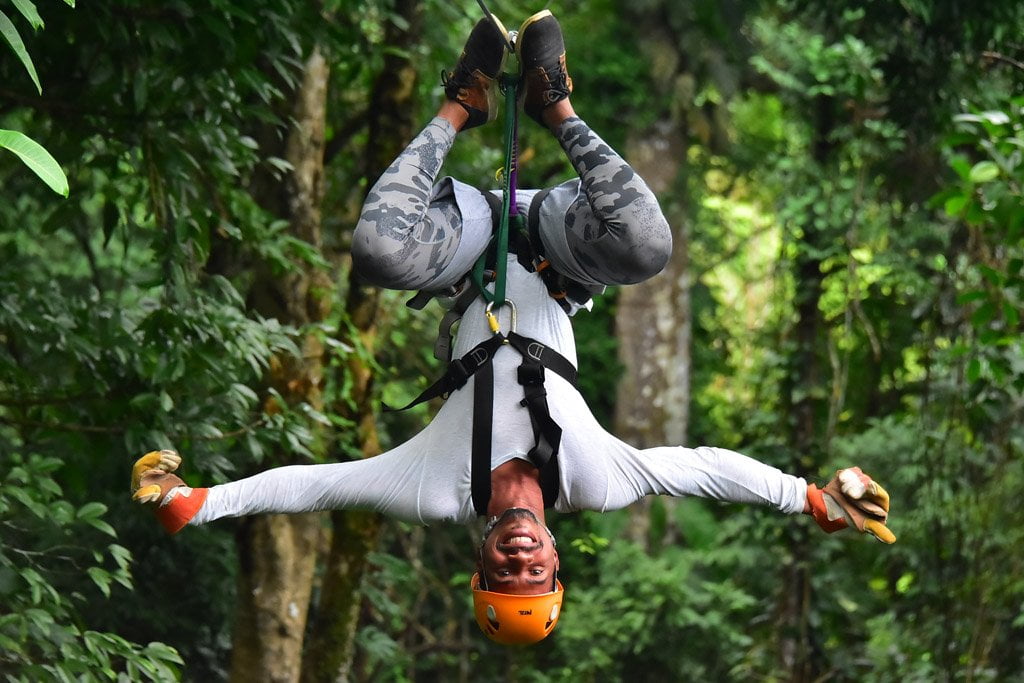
column 355, row 534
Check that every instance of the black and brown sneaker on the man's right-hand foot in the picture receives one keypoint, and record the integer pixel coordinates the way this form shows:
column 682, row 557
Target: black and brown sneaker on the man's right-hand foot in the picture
column 542, row 56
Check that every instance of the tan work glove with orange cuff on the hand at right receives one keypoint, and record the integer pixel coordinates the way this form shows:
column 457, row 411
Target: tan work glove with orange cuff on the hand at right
column 851, row 499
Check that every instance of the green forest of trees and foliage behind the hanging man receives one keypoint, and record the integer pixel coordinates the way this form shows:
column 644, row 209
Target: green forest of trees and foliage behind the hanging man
column 844, row 181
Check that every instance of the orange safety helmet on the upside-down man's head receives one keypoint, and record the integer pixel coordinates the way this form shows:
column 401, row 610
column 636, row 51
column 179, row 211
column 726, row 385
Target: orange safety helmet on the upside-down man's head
column 517, row 620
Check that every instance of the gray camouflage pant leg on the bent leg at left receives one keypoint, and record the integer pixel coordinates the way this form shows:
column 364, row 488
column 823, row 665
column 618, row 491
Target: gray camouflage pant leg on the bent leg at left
column 409, row 233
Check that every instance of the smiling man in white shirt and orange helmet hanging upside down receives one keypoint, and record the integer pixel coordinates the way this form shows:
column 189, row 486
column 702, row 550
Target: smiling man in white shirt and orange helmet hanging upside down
column 515, row 437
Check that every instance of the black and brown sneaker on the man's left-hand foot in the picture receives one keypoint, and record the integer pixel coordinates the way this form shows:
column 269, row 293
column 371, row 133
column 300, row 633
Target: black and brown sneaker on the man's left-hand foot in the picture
column 473, row 82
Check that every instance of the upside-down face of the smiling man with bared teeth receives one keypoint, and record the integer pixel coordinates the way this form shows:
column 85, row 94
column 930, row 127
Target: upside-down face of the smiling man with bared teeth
column 519, row 556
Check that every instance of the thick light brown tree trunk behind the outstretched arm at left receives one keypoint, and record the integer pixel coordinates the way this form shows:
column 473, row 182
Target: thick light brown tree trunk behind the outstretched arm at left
column 278, row 553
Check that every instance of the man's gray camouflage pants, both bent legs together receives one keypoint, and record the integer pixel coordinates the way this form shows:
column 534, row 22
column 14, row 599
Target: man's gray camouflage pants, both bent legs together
column 417, row 234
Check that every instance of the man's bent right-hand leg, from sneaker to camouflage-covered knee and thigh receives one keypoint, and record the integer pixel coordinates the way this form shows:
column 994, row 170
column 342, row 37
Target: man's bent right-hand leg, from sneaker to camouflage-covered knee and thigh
column 614, row 232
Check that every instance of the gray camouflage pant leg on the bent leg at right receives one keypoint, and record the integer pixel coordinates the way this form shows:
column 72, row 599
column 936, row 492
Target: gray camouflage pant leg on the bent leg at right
column 607, row 229
